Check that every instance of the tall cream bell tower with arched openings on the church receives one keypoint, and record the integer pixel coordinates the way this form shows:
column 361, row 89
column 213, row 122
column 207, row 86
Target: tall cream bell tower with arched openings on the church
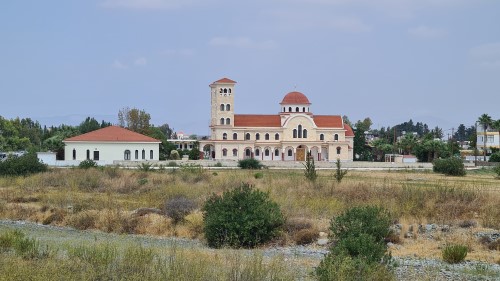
column 222, row 103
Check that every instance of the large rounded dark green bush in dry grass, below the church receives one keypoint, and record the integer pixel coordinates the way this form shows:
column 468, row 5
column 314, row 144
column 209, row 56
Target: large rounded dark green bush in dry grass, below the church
column 242, row 217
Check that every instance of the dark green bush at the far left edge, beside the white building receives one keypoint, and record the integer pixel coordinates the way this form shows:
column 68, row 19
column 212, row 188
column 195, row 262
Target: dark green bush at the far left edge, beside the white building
column 21, row 165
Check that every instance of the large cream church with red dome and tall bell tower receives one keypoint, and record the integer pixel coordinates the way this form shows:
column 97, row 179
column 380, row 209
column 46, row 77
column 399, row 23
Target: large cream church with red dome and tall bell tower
column 286, row 136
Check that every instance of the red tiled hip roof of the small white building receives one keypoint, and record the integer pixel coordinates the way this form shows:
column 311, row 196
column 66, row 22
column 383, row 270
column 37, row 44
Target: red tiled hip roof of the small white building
column 112, row 134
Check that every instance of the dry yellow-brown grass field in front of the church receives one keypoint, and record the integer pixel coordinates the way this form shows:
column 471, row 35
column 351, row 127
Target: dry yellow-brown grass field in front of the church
column 104, row 199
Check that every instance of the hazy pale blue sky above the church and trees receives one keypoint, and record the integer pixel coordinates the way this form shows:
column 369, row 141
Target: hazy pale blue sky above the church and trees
column 436, row 61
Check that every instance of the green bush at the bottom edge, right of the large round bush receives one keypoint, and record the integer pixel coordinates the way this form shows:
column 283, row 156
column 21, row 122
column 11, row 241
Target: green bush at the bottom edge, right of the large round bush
column 360, row 249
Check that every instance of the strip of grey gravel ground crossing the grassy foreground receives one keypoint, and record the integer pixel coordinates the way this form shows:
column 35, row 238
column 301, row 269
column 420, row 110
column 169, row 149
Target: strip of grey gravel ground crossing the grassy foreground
column 406, row 268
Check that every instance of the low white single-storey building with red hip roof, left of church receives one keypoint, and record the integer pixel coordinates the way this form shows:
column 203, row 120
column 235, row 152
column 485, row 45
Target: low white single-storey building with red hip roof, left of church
column 111, row 144
